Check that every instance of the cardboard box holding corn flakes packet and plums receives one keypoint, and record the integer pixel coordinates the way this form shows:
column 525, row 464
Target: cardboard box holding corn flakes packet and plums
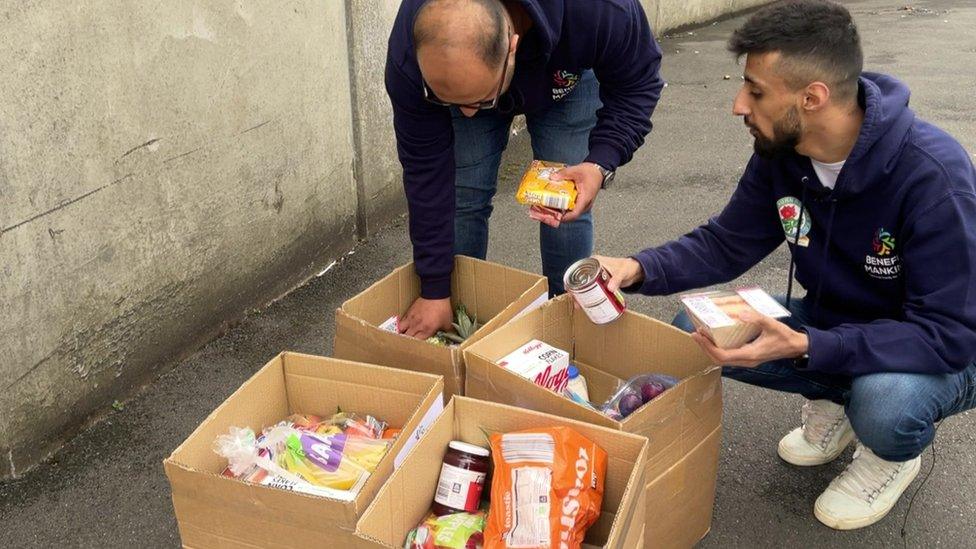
column 683, row 424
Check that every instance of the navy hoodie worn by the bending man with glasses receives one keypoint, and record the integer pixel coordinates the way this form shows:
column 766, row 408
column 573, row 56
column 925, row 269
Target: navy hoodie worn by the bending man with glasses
column 611, row 37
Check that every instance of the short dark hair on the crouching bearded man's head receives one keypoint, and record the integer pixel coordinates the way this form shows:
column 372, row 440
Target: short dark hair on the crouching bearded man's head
column 817, row 39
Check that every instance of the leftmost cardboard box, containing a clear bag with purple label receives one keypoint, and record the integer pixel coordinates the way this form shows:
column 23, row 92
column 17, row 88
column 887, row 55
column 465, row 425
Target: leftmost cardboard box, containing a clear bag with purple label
column 217, row 511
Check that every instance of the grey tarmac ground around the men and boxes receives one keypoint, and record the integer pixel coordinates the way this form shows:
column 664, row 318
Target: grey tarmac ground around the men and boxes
column 107, row 487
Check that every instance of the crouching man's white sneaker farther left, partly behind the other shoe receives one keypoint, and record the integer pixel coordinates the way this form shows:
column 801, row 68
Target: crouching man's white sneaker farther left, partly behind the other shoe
column 824, row 435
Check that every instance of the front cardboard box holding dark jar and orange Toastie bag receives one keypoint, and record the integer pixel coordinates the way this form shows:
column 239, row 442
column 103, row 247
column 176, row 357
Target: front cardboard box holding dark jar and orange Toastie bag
column 406, row 497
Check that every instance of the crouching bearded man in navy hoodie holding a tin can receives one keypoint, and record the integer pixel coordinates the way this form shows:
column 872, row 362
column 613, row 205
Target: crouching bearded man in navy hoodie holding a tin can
column 878, row 210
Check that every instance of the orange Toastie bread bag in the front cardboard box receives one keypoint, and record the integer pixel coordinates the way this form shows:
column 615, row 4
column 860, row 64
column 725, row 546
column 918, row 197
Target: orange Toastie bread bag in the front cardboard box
column 547, row 488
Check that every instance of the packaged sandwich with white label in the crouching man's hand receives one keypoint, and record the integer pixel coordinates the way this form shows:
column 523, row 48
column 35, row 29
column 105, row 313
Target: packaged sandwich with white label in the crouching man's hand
column 717, row 314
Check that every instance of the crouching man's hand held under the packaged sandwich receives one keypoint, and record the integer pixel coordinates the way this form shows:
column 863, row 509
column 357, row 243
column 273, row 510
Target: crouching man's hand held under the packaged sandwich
column 776, row 341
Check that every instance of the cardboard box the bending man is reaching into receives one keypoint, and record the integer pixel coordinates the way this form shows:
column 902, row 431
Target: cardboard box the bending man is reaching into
column 492, row 293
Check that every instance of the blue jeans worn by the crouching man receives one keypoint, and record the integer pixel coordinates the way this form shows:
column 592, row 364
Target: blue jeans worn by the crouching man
column 893, row 414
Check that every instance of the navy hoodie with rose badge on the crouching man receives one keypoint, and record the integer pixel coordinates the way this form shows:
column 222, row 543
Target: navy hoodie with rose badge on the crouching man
column 888, row 257
